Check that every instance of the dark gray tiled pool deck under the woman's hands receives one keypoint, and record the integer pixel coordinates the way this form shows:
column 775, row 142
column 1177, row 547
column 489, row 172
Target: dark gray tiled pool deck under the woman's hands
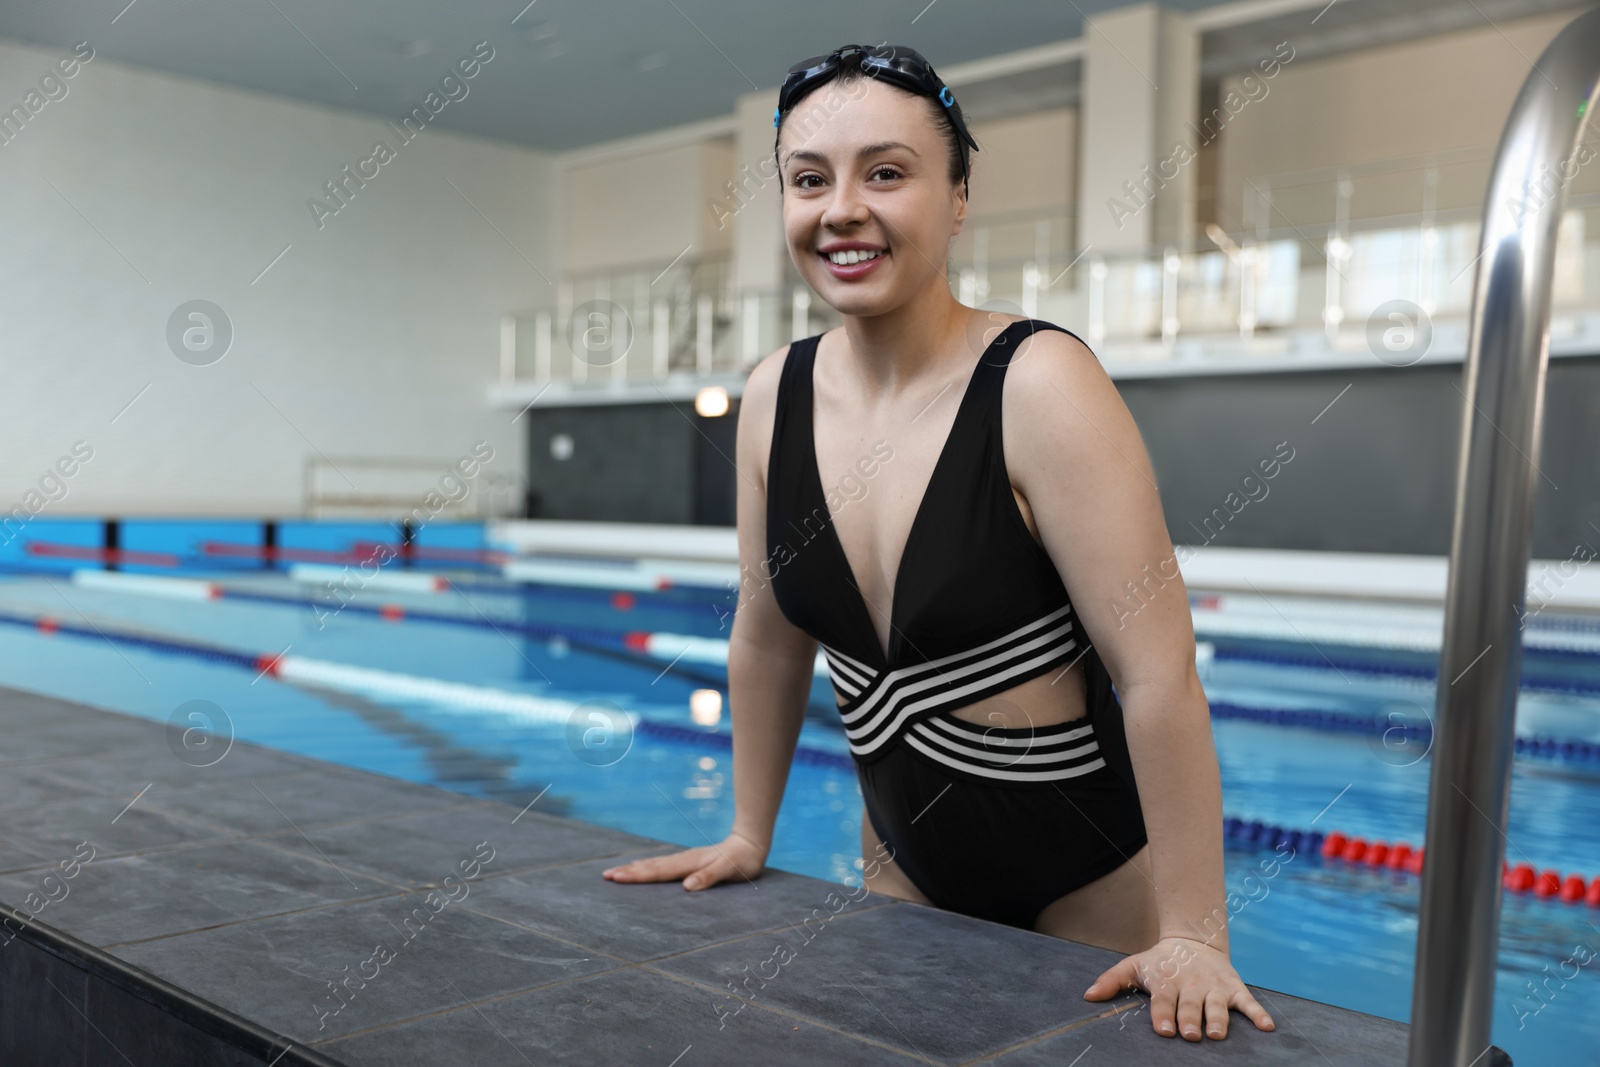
column 233, row 914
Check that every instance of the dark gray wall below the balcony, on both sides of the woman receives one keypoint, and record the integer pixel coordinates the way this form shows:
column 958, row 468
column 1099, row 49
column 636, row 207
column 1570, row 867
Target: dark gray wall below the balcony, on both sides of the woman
column 1375, row 473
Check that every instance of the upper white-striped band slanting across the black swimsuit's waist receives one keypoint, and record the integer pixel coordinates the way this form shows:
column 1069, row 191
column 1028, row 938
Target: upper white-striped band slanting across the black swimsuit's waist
column 881, row 706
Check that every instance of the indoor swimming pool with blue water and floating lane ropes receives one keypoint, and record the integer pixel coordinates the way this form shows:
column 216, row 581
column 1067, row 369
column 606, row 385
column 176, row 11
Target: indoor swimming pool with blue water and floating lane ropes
column 1314, row 927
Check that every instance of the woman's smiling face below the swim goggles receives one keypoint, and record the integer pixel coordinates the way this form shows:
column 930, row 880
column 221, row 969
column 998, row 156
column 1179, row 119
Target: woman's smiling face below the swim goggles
column 870, row 207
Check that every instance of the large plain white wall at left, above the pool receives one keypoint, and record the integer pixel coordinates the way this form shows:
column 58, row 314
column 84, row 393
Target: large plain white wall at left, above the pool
column 377, row 335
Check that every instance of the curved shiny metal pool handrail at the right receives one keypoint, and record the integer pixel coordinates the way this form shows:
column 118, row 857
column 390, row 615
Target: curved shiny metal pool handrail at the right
column 1481, row 663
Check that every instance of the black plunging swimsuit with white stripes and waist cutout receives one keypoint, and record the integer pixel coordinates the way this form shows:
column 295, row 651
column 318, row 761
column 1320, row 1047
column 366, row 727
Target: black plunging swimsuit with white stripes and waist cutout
column 993, row 823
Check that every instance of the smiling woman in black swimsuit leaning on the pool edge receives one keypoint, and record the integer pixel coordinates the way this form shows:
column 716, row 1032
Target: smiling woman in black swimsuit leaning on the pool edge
column 1002, row 777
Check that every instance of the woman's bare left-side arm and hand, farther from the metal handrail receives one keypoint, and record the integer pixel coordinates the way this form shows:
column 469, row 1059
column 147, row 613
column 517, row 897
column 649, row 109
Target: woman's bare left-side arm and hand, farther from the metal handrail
column 769, row 676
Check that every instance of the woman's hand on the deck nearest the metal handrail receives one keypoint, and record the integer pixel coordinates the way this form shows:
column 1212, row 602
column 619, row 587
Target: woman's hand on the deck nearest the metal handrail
column 1191, row 985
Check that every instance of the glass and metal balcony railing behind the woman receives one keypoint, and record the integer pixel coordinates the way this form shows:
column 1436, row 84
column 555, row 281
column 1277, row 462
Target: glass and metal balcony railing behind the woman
column 1284, row 292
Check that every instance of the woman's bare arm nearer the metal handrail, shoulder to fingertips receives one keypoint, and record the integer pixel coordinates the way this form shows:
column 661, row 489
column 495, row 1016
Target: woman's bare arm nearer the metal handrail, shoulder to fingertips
column 1079, row 460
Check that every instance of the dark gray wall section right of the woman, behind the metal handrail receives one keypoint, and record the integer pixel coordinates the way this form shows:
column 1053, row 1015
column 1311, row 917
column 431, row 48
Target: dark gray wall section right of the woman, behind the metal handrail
column 1375, row 473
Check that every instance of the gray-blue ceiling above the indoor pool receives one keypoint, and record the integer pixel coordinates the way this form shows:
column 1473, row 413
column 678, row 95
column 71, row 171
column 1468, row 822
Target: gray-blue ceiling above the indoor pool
column 577, row 73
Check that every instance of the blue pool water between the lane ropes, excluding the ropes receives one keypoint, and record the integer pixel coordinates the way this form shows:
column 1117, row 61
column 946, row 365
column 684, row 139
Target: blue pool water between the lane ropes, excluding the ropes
column 1314, row 929
